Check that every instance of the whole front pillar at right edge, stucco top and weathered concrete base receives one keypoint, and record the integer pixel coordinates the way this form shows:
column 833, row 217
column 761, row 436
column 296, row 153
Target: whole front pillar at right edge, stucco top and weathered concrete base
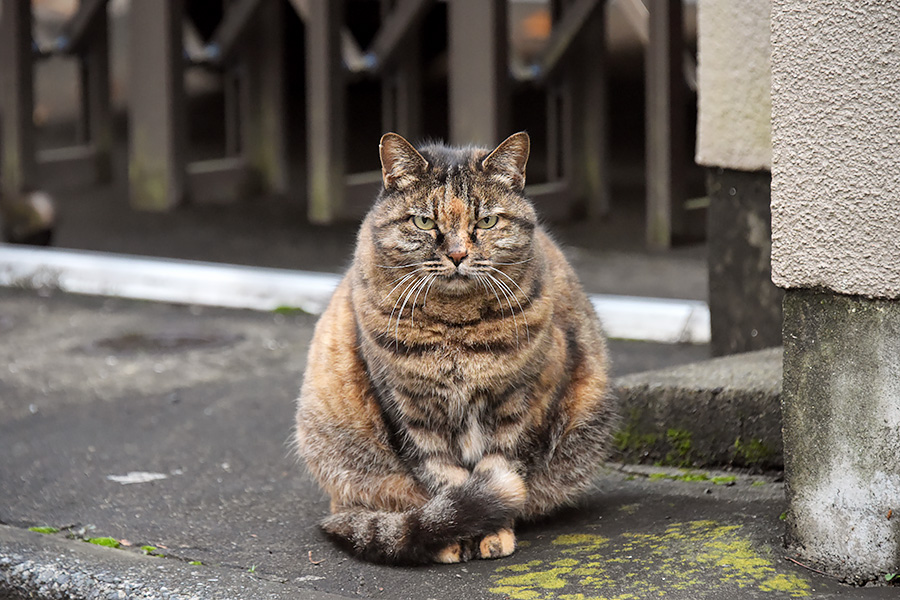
column 836, row 249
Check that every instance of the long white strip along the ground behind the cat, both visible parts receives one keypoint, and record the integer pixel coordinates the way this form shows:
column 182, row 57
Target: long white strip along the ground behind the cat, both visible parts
column 233, row 286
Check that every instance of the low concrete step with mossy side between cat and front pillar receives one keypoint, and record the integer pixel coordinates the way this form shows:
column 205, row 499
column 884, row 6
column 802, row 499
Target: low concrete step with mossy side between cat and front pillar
column 725, row 411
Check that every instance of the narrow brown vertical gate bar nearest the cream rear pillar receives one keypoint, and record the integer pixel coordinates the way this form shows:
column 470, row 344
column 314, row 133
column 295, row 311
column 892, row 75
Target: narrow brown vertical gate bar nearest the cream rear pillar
column 665, row 123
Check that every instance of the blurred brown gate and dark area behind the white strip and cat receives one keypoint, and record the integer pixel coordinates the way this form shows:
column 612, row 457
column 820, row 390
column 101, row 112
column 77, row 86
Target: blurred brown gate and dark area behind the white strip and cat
column 246, row 131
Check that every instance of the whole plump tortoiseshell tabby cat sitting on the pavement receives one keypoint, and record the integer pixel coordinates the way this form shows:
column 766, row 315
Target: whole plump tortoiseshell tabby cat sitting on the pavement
column 458, row 380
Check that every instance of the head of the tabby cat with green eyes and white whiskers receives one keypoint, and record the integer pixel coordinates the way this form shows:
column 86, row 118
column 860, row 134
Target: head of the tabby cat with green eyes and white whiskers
column 457, row 214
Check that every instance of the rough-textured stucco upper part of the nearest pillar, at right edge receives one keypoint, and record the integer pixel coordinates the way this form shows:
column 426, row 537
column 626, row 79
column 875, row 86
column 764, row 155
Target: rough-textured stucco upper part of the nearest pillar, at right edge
column 836, row 146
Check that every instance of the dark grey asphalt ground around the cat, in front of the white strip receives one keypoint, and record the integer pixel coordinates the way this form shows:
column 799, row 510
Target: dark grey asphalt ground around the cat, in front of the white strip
column 94, row 389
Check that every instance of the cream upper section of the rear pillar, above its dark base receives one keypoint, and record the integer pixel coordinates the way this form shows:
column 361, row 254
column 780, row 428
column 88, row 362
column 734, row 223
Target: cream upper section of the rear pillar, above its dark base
column 733, row 70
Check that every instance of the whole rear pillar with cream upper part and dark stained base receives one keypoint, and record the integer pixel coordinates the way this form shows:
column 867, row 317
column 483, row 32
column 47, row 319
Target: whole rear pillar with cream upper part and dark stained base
column 734, row 141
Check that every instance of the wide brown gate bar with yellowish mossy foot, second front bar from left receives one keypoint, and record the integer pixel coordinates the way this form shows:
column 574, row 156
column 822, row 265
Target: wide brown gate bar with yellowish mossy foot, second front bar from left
column 157, row 136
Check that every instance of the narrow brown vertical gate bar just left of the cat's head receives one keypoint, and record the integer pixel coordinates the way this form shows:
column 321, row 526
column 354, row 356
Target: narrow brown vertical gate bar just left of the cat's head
column 326, row 120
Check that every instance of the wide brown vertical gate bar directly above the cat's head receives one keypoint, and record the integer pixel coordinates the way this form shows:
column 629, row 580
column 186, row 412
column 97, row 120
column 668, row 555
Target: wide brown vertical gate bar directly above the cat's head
column 478, row 71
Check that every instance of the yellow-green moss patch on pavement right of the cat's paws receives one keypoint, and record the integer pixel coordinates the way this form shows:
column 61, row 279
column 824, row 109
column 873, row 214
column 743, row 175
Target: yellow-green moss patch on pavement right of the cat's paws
column 704, row 558
